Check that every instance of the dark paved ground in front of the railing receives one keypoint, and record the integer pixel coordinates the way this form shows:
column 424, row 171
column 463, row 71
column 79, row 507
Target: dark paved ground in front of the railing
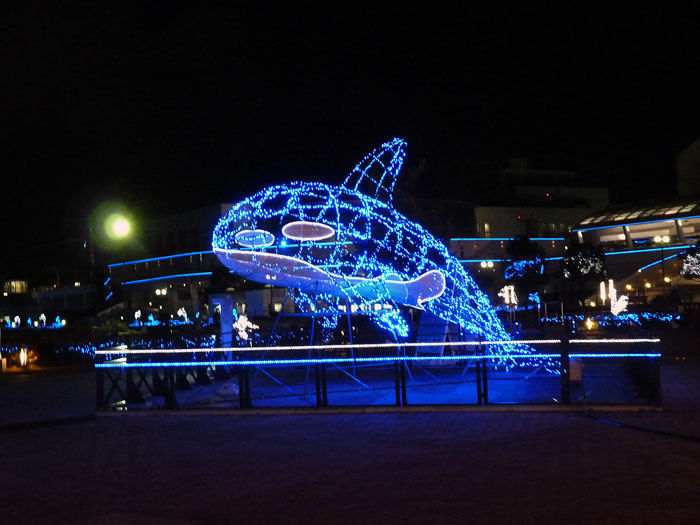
column 369, row 468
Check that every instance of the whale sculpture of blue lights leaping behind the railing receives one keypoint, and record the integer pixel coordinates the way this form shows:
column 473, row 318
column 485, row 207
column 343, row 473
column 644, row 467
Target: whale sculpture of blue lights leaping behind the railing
column 349, row 242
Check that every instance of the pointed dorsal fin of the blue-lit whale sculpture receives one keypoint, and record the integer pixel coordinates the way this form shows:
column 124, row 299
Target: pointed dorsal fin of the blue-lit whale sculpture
column 376, row 174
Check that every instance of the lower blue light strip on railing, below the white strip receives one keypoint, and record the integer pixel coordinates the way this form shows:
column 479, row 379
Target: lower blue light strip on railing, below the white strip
column 381, row 359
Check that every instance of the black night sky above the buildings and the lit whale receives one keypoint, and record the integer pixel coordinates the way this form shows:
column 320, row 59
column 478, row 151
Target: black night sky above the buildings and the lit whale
column 168, row 107
